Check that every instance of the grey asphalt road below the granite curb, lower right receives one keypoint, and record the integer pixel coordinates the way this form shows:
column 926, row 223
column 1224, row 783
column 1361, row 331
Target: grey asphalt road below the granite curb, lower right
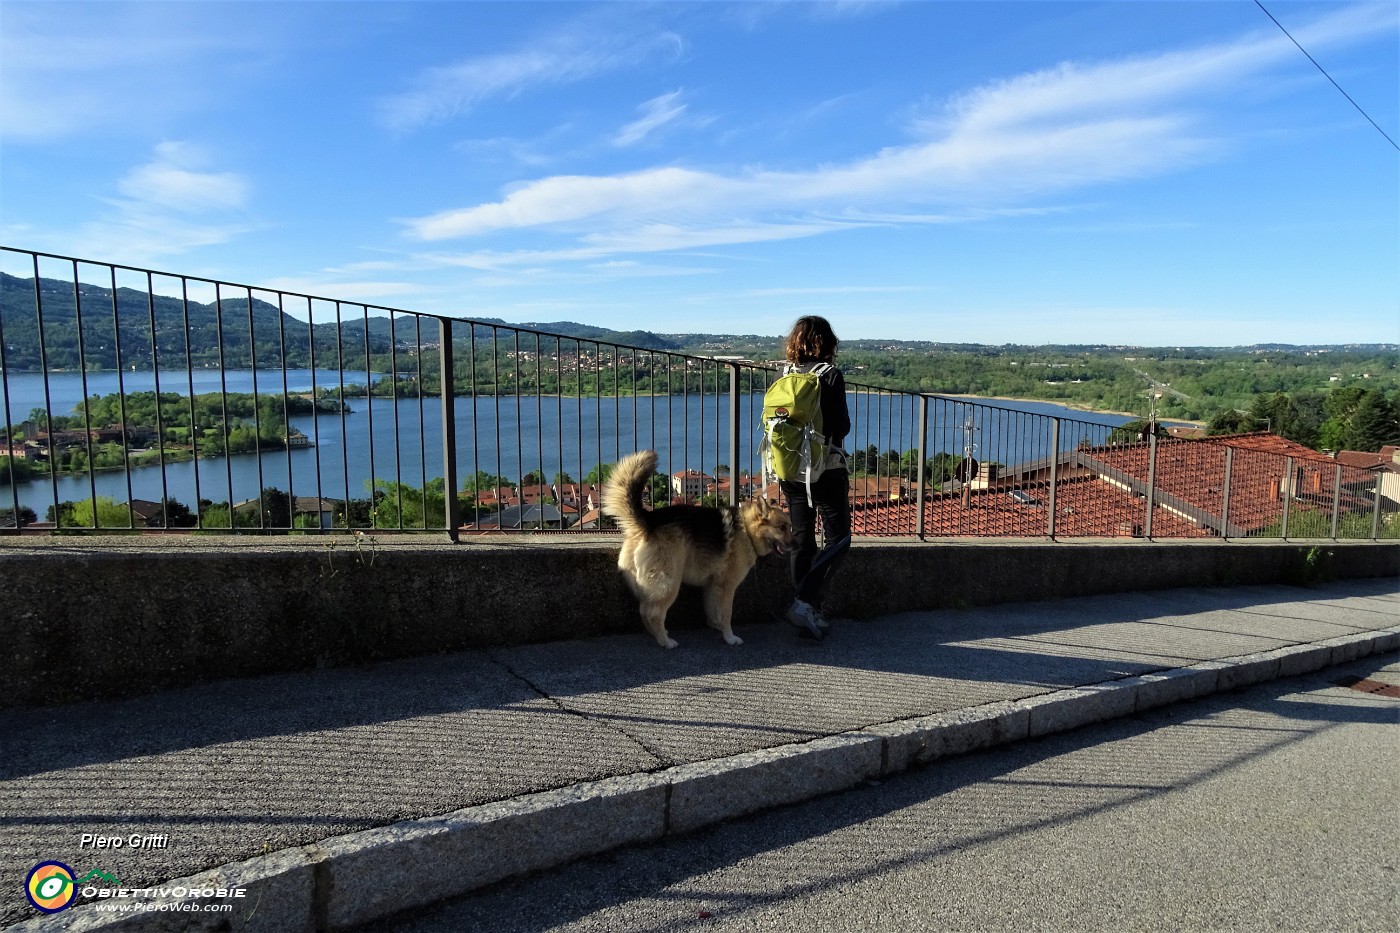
column 1276, row 808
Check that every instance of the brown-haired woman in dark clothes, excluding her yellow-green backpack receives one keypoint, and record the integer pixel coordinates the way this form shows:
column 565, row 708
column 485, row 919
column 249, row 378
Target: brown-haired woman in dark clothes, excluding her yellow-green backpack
column 811, row 347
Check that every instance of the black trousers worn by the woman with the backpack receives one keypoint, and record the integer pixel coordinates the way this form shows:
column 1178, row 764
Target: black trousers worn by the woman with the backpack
column 813, row 567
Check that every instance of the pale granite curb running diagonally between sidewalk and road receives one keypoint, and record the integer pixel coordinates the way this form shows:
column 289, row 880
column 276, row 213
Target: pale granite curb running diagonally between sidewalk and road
column 355, row 879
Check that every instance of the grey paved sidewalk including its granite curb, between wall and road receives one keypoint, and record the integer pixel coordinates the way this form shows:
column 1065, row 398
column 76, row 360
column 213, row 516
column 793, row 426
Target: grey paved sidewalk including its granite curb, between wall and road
column 346, row 795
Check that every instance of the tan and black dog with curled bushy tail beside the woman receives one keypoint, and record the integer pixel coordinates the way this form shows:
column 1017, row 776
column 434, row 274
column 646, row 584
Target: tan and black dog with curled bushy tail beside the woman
column 702, row 546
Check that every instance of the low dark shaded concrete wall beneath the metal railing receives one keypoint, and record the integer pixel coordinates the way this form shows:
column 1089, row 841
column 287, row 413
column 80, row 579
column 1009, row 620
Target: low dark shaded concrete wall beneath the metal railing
column 97, row 618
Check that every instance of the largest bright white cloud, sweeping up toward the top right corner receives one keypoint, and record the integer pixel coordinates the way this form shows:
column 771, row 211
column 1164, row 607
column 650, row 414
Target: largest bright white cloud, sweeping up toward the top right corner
column 996, row 149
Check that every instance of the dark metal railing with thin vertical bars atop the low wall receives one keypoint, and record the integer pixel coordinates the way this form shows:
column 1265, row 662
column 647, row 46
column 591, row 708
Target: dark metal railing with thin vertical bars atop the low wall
column 146, row 401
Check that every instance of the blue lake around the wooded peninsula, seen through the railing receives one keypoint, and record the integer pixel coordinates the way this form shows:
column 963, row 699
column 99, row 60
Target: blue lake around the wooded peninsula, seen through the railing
column 402, row 441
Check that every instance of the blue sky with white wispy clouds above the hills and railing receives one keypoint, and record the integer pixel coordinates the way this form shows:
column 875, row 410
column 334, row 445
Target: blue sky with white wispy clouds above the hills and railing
column 1032, row 173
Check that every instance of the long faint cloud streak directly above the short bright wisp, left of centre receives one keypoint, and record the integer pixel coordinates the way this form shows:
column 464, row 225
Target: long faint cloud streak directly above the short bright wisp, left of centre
column 573, row 54
